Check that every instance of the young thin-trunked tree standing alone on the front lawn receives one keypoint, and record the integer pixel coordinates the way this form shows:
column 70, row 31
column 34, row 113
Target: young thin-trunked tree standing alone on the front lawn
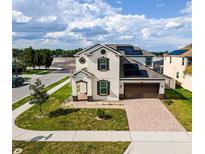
column 38, row 94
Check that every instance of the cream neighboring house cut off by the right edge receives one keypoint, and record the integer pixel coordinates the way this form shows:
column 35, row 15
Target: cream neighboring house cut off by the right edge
column 178, row 65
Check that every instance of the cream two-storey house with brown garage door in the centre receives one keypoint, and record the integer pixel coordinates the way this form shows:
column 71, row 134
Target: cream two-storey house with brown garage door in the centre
column 105, row 73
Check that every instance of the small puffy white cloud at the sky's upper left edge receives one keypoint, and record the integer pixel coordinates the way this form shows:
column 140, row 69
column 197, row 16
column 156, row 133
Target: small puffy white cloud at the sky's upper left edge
column 18, row 16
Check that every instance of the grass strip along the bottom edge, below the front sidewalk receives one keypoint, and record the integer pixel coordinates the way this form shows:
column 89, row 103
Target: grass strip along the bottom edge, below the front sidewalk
column 70, row 147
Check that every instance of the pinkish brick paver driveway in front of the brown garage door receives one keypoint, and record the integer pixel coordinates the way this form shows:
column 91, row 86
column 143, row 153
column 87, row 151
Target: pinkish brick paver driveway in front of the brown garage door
column 150, row 115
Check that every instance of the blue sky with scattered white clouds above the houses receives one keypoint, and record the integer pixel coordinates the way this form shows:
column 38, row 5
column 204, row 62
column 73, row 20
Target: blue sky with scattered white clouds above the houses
column 154, row 25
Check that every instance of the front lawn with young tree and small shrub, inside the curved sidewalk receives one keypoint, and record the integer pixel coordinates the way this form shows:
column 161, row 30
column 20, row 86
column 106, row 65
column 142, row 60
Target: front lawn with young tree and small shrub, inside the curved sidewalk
column 56, row 118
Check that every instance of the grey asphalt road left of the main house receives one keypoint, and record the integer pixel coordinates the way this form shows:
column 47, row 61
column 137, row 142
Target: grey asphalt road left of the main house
column 67, row 65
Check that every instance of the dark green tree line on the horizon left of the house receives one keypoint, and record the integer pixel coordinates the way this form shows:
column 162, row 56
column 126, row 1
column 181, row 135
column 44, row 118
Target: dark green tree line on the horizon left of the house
column 30, row 57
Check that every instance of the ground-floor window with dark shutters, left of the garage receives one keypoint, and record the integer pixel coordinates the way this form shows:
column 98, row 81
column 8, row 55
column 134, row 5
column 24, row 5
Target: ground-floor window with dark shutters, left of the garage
column 103, row 87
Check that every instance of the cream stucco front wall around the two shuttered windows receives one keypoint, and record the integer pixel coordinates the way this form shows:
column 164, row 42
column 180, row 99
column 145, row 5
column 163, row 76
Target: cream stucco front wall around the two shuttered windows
column 111, row 75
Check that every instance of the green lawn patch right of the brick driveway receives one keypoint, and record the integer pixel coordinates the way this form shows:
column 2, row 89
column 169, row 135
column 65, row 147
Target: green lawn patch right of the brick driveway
column 179, row 103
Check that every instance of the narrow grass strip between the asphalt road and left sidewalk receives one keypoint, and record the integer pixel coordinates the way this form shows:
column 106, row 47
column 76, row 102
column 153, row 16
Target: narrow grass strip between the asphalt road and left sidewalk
column 26, row 99
